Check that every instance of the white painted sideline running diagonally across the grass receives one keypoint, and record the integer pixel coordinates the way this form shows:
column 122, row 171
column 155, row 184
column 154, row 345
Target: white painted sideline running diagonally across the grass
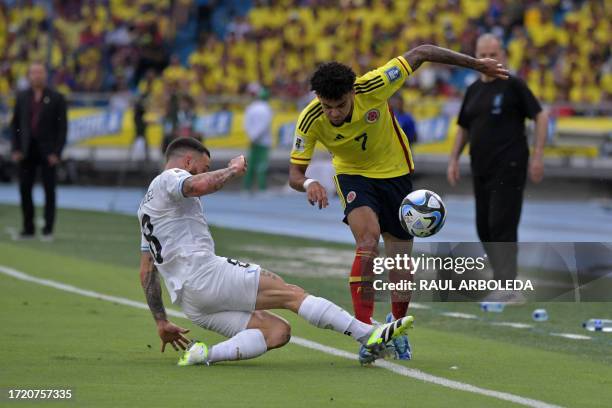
column 396, row 368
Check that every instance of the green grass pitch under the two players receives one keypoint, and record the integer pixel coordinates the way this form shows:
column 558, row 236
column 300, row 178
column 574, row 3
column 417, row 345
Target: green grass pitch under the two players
column 108, row 354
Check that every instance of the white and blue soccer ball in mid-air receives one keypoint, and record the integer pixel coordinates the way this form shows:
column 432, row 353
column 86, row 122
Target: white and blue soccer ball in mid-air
column 422, row 213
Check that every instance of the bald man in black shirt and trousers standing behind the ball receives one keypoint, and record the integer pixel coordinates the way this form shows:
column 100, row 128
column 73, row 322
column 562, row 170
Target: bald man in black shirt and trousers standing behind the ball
column 492, row 120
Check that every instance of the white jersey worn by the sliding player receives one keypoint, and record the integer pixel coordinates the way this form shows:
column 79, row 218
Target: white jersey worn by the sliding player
column 174, row 230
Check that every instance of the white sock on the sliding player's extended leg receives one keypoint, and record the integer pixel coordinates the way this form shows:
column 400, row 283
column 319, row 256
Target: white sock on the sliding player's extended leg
column 322, row 313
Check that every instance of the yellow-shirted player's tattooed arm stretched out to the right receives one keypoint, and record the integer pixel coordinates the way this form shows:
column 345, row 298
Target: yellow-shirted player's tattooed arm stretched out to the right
column 432, row 53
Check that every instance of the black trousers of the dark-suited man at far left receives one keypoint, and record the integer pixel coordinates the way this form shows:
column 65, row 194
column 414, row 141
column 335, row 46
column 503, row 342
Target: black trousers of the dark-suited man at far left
column 27, row 175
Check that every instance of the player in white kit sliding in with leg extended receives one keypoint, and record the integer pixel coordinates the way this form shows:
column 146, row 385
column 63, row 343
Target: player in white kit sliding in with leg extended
column 217, row 293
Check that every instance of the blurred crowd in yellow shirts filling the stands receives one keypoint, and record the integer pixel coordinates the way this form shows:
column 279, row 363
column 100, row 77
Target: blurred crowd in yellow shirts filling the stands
column 161, row 47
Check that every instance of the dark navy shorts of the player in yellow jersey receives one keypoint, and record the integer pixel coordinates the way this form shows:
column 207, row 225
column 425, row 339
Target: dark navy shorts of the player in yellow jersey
column 383, row 196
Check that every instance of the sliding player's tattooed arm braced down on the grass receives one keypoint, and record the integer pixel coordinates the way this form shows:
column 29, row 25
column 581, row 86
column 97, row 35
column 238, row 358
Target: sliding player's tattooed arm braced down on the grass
column 168, row 332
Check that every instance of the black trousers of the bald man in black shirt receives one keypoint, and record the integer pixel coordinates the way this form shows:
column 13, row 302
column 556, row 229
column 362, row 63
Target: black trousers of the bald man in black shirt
column 499, row 201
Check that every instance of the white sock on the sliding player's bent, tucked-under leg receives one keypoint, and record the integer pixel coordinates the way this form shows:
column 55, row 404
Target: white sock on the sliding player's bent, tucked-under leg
column 247, row 344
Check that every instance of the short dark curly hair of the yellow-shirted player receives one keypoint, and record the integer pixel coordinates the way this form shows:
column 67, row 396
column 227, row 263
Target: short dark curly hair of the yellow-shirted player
column 332, row 80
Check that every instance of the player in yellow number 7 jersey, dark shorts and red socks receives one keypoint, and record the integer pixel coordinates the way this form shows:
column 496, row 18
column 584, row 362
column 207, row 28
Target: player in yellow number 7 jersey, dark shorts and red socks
column 371, row 155
